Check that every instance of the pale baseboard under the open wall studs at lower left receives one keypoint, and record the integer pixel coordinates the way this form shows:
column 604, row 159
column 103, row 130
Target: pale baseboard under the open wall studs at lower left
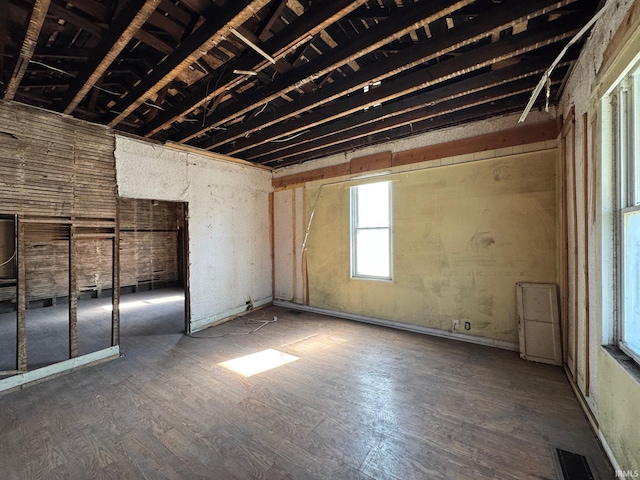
column 50, row 371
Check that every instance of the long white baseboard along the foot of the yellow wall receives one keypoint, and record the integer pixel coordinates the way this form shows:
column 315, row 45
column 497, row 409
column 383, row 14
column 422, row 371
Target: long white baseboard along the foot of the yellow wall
column 475, row 339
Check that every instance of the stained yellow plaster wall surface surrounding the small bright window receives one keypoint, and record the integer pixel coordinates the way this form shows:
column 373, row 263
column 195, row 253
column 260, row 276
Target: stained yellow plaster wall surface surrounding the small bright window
column 463, row 236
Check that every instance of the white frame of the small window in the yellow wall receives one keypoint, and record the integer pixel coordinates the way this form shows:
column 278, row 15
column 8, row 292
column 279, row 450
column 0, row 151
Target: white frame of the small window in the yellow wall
column 353, row 228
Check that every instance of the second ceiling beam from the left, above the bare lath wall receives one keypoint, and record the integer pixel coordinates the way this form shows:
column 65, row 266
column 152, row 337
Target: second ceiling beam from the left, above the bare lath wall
column 121, row 31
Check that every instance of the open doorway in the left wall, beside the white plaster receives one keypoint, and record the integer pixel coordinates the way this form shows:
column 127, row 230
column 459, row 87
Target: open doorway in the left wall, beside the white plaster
column 154, row 292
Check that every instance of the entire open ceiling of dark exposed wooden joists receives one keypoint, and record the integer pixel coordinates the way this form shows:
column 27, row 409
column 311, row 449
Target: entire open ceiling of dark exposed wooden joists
column 348, row 73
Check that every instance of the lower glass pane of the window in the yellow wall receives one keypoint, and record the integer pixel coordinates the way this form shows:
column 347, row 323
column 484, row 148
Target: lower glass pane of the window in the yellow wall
column 372, row 247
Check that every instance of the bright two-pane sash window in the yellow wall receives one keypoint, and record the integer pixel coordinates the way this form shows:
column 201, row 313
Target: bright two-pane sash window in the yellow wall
column 371, row 231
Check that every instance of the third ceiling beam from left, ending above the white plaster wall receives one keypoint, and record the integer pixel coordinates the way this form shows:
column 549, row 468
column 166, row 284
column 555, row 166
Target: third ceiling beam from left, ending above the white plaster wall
column 206, row 37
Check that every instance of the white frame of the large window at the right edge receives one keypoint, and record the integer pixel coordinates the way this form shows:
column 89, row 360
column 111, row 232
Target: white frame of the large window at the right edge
column 625, row 98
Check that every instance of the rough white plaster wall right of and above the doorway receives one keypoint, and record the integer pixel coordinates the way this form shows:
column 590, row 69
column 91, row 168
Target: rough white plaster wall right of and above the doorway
column 229, row 232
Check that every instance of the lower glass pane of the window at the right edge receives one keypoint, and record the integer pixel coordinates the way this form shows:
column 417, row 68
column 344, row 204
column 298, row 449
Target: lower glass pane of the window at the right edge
column 631, row 256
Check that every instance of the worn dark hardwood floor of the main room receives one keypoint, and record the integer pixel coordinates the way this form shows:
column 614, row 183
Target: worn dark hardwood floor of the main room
column 362, row 402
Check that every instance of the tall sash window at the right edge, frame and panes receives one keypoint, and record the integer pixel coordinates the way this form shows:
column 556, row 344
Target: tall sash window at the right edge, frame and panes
column 627, row 107
